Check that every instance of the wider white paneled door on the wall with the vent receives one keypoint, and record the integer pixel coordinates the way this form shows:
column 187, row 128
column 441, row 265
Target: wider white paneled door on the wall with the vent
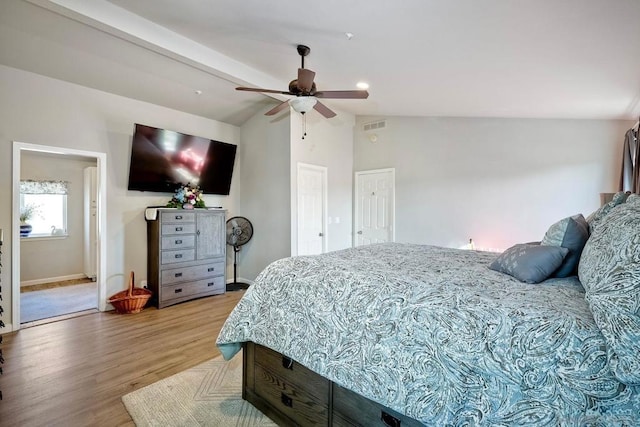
column 375, row 207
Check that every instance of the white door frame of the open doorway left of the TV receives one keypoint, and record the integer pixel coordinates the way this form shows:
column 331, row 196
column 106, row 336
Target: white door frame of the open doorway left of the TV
column 101, row 222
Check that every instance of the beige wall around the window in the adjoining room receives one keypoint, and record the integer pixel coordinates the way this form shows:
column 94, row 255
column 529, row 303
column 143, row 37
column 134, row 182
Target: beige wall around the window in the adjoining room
column 59, row 257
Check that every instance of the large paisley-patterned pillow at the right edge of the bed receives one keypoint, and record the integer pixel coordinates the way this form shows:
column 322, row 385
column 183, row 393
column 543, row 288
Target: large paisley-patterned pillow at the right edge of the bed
column 610, row 273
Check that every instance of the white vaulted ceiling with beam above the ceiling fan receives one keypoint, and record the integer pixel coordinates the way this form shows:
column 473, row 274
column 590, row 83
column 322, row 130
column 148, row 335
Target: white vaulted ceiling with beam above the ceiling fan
column 457, row 58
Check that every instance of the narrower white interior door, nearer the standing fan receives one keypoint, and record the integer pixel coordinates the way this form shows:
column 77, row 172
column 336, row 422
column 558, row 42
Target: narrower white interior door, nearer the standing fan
column 312, row 203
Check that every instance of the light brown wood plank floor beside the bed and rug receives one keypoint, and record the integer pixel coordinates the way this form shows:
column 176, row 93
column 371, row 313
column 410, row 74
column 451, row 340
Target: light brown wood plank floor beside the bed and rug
column 73, row 372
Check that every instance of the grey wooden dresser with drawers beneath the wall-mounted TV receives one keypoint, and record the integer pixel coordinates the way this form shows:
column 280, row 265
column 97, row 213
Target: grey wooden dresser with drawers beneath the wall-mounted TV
column 186, row 254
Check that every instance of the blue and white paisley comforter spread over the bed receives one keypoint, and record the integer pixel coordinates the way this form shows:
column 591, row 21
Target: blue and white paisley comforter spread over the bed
column 435, row 334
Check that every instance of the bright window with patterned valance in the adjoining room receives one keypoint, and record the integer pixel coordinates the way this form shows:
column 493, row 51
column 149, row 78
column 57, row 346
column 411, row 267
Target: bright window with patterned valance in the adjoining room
column 43, row 205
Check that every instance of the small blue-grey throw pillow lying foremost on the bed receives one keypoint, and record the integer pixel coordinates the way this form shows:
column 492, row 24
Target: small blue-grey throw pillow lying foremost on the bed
column 530, row 263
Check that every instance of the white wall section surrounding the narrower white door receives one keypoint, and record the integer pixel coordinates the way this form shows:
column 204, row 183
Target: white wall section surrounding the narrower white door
column 329, row 143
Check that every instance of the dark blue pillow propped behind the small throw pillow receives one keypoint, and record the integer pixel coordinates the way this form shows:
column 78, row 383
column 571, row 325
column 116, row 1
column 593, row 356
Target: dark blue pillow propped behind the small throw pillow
column 571, row 233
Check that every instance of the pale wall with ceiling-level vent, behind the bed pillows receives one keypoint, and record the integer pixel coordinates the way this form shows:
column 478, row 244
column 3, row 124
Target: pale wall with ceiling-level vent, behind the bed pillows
column 498, row 181
